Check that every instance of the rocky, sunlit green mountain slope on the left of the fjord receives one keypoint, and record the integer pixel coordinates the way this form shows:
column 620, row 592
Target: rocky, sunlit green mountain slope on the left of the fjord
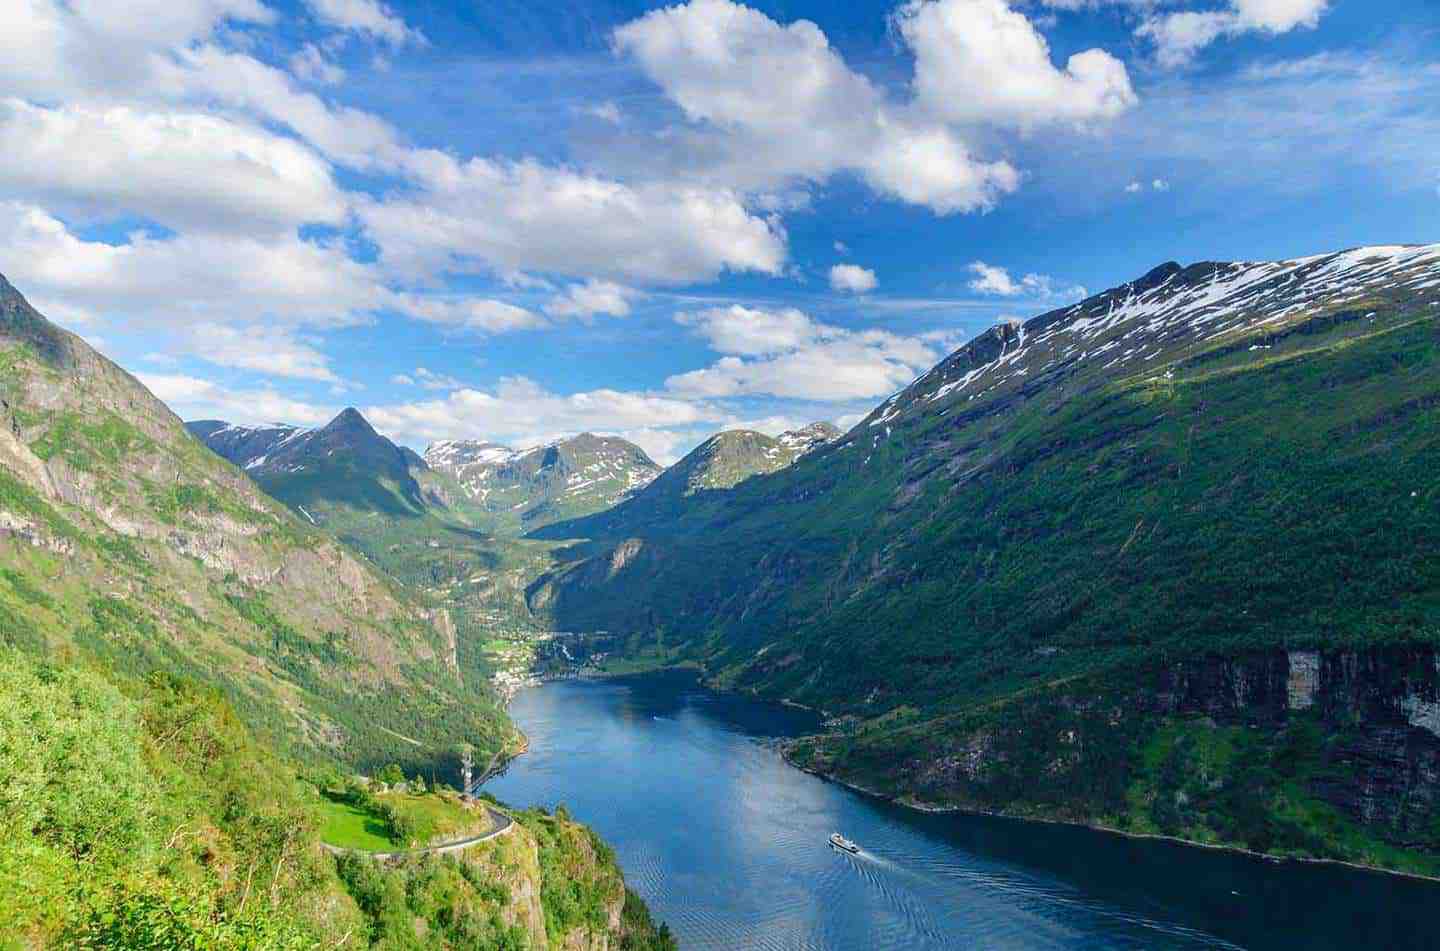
column 126, row 541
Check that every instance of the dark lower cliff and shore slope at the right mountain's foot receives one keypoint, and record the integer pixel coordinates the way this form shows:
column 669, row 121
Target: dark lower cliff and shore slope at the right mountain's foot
column 1328, row 740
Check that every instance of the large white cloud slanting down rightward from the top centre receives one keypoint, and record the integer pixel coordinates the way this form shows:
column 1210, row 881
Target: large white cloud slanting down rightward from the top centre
column 778, row 103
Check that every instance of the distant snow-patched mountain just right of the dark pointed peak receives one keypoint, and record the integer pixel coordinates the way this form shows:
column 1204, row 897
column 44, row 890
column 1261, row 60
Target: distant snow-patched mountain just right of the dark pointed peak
column 535, row 488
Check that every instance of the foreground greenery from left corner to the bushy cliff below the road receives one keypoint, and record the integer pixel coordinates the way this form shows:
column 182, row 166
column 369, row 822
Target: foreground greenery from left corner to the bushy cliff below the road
column 139, row 813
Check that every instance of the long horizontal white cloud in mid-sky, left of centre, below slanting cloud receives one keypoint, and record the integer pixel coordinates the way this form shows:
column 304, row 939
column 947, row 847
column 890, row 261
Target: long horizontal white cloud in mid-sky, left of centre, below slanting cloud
column 509, row 217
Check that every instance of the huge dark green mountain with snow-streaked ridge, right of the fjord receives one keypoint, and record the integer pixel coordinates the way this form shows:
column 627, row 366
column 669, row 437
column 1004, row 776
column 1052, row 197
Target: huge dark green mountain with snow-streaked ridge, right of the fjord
column 1167, row 561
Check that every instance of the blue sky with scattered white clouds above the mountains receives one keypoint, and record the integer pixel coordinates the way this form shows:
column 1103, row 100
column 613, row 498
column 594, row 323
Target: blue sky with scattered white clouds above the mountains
column 523, row 220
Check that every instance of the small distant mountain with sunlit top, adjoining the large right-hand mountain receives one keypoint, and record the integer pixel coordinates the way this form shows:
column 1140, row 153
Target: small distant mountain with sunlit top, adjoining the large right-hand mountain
column 722, row 462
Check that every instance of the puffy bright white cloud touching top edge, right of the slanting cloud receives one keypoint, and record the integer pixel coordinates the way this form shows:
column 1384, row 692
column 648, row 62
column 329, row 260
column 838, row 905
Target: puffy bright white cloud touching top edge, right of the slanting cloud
column 980, row 61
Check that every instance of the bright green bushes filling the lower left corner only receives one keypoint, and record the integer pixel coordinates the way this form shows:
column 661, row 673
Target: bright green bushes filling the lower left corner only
column 143, row 816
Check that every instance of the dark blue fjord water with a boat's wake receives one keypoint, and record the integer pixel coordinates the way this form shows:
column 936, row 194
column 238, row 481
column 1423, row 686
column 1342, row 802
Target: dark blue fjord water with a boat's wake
column 728, row 845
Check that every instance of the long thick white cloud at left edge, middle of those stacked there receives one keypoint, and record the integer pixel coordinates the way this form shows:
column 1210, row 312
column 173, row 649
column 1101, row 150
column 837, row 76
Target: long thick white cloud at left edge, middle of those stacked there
column 186, row 171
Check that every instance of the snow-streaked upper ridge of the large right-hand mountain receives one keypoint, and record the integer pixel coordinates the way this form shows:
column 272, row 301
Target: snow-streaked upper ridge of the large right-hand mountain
column 1164, row 319
